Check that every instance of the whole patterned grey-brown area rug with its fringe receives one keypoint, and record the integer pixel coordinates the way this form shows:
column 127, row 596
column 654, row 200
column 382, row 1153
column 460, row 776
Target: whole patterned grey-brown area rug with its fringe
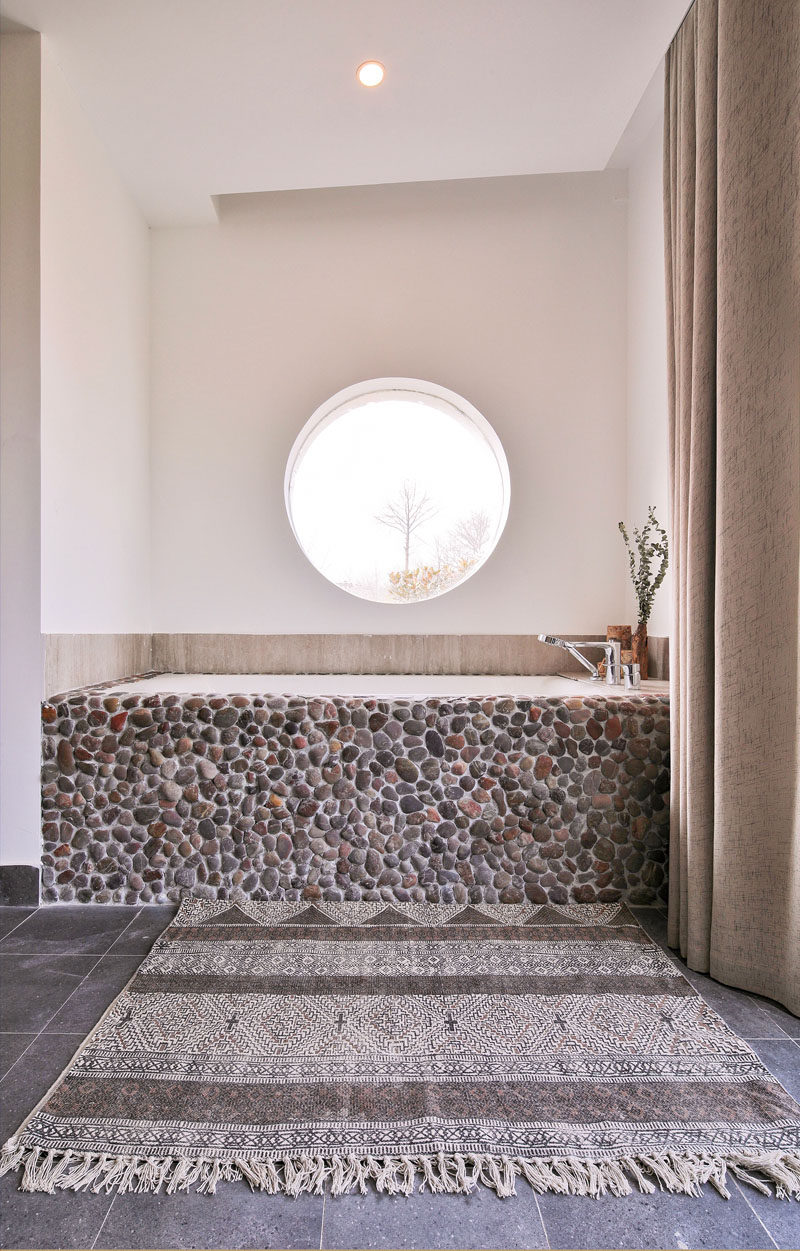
column 335, row 1045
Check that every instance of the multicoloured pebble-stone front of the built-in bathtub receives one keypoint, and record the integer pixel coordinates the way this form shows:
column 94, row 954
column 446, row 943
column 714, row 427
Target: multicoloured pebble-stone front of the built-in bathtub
column 148, row 798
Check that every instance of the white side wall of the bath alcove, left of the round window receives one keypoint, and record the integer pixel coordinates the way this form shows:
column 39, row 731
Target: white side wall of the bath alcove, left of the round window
column 96, row 517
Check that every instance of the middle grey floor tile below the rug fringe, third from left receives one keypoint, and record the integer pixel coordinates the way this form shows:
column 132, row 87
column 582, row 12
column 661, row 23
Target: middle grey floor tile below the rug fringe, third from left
column 425, row 1220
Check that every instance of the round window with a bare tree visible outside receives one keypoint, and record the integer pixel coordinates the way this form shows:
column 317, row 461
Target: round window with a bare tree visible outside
column 397, row 490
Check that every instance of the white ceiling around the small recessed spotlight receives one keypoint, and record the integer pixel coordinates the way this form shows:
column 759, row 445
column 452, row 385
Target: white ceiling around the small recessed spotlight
column 202, row 98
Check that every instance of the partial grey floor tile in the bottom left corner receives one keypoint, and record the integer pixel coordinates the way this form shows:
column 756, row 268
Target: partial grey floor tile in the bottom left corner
column 62, row 1220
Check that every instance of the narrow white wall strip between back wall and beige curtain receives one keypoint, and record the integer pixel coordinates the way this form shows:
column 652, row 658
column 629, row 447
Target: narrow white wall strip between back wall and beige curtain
column 648, row 422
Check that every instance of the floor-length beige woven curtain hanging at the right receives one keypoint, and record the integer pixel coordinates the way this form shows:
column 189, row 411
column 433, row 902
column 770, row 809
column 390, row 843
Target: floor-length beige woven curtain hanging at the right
column 733, row 262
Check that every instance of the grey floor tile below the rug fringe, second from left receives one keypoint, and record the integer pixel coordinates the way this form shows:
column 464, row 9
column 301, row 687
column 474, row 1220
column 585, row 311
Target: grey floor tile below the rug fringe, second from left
column 232, row 1218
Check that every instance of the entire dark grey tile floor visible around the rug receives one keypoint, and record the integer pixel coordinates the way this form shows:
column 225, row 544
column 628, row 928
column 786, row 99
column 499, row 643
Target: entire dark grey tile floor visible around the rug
column 59, row 970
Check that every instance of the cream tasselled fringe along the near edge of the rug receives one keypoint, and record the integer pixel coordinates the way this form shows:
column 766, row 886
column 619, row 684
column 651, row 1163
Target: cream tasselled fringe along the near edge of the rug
column 445, row 1174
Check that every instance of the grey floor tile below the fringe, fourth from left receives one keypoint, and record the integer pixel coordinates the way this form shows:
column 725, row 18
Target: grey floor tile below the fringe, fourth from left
column 652, row 1222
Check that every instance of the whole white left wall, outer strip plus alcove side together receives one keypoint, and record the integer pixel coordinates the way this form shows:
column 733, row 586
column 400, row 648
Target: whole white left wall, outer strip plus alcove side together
column 74, row 408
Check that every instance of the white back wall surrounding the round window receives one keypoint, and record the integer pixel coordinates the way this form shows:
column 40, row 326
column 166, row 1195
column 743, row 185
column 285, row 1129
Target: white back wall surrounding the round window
column 511, row 292
